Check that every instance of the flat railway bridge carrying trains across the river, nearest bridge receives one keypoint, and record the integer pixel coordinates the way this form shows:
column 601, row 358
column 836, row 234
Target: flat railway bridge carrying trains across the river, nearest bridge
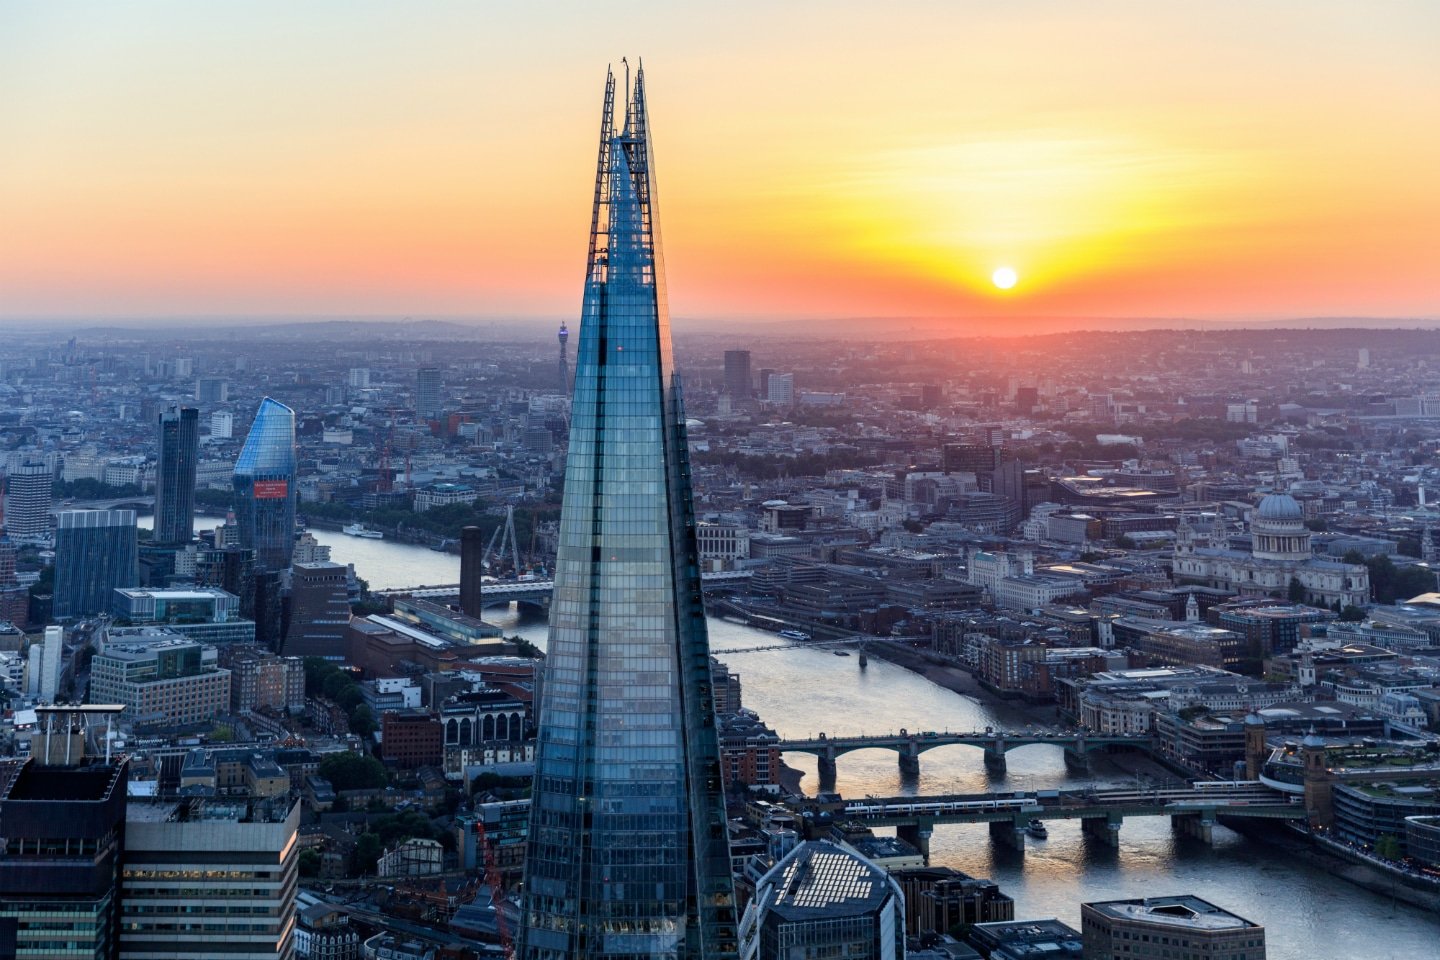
column 1194, row 810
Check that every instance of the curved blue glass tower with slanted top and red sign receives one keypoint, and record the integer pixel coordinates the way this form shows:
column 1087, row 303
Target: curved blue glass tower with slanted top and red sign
column 266, row 487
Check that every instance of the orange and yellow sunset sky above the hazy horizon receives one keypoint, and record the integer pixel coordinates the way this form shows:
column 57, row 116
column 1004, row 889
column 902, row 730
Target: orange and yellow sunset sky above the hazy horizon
column 1259, row 159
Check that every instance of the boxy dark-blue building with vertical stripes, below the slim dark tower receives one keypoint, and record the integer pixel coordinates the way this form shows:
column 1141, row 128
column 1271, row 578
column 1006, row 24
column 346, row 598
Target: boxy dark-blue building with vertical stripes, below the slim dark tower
column 96, row 552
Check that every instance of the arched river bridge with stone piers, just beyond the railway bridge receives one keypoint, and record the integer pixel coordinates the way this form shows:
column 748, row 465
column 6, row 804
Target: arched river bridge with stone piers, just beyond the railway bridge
column 996, row 743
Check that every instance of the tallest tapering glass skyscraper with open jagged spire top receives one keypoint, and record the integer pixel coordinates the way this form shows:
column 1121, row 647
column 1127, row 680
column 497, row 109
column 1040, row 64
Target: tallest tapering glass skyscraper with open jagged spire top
column 629, row 851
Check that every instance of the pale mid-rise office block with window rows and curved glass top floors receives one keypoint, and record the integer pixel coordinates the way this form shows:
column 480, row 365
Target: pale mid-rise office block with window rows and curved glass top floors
column 162, row 679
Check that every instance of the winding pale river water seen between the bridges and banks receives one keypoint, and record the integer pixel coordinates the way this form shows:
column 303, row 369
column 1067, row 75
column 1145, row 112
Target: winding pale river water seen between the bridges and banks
column 1308, row 915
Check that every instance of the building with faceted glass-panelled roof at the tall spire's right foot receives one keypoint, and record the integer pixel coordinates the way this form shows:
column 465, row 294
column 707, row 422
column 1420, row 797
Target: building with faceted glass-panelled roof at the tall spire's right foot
column 824, row 900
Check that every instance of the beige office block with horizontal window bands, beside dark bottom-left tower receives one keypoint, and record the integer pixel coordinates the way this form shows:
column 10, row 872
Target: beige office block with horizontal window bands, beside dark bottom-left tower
column 210, row 880
